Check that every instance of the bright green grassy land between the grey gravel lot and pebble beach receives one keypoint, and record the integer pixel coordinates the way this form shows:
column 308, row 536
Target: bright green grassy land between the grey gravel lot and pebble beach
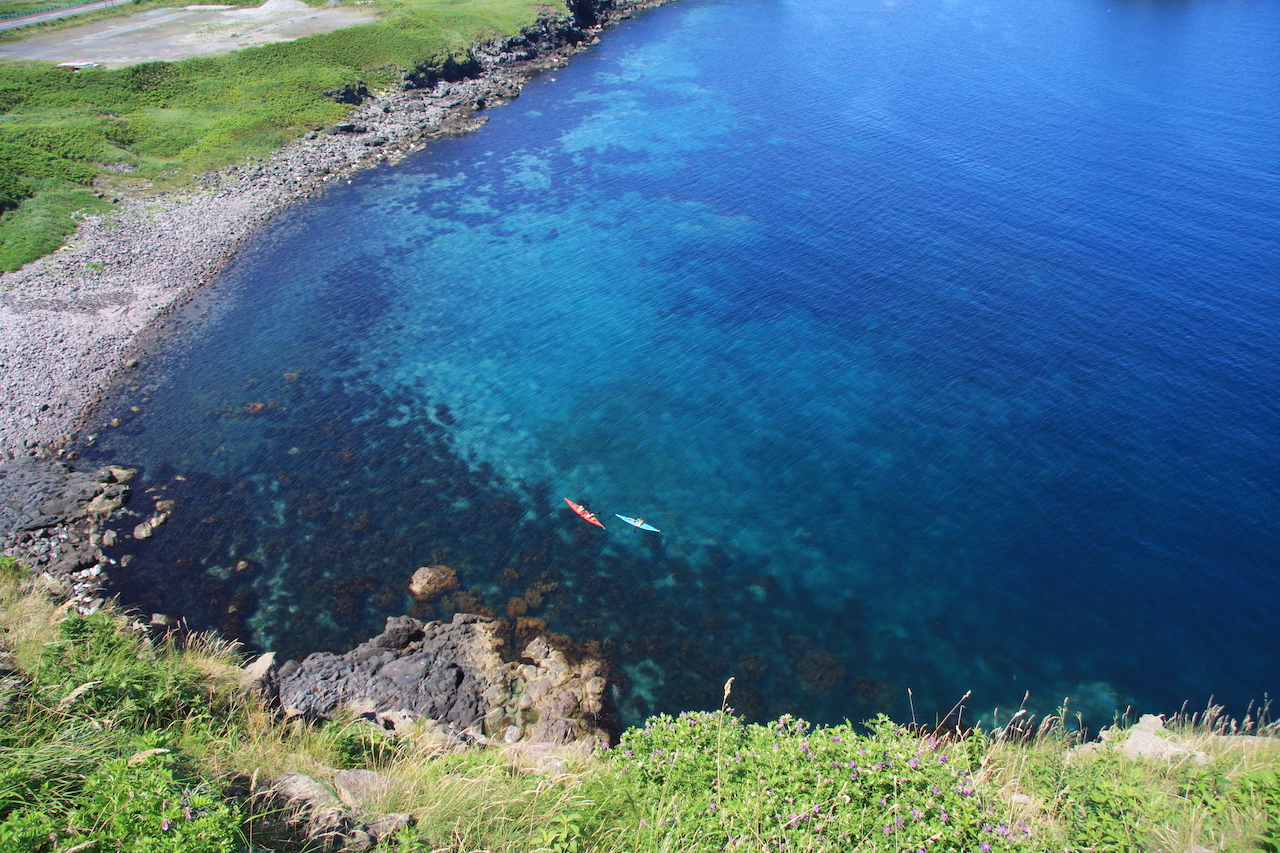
column 72, row 140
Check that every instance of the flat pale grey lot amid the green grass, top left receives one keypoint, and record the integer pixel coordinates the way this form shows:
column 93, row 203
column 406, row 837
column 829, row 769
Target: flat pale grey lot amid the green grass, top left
column 184, row 33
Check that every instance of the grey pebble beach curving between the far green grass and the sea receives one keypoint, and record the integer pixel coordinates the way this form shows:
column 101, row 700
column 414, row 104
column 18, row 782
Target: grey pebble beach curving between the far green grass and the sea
column 71, row 322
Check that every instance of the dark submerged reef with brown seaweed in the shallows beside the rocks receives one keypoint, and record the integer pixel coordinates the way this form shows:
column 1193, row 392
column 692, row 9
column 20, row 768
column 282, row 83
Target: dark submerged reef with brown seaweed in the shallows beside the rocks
column 341, row 504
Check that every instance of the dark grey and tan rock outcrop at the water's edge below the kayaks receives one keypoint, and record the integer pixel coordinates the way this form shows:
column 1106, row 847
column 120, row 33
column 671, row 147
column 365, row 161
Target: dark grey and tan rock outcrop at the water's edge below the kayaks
column 456, row 676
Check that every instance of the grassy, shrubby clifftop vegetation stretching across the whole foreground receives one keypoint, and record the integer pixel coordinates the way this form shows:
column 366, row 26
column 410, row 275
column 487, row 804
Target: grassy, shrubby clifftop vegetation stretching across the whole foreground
column 117, row 738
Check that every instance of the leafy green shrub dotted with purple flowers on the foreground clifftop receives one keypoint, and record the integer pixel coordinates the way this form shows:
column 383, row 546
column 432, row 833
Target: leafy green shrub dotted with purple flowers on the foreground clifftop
column 715, row 783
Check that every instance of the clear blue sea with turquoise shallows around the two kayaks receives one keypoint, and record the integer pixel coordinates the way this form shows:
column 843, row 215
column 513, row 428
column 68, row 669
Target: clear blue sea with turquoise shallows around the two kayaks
column 940, row 339
